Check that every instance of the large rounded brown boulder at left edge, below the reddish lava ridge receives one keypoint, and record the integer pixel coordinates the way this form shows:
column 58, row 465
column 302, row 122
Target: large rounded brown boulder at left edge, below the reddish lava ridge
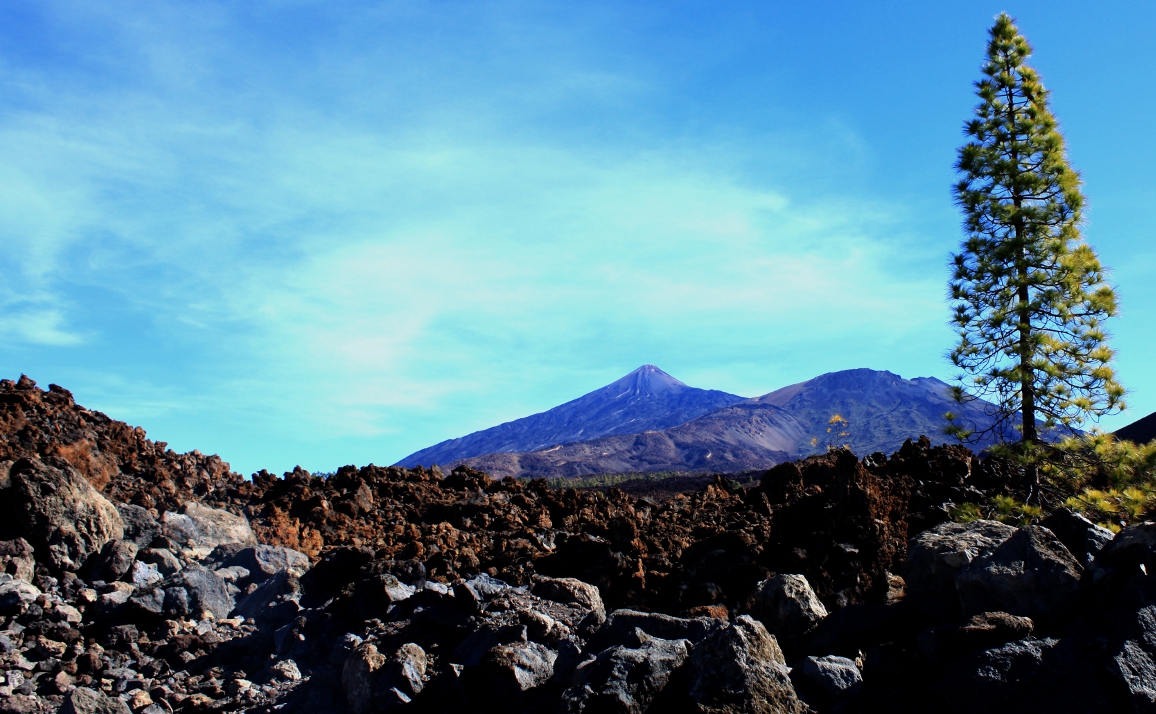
column 58, row 512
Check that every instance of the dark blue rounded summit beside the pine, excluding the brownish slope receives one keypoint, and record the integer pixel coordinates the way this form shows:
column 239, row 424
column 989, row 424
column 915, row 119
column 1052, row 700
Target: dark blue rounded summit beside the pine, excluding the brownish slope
column 883, row 410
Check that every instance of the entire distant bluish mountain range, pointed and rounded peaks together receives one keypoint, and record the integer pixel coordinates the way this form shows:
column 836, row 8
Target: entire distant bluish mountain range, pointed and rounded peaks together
column 648, row 421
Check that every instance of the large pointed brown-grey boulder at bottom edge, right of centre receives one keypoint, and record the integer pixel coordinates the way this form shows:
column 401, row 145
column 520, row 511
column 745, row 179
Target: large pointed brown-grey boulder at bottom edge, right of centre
column 740, row 668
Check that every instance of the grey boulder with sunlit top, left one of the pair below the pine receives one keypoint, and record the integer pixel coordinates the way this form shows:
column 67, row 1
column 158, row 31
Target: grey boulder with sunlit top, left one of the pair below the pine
column 937, row 556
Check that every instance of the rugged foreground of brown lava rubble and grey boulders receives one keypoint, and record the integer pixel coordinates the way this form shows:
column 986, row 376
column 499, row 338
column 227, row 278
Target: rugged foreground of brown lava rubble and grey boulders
column 137, row 579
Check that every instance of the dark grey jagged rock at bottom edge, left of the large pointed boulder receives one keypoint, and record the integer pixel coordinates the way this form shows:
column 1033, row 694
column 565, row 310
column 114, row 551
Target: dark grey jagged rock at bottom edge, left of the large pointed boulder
column 625, row 679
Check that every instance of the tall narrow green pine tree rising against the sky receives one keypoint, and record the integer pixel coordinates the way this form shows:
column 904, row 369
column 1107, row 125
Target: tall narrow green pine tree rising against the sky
column 1029, row 295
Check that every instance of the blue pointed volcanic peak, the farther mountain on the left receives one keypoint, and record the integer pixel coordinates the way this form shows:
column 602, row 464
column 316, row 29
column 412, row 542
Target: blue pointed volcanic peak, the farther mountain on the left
column 646, row 400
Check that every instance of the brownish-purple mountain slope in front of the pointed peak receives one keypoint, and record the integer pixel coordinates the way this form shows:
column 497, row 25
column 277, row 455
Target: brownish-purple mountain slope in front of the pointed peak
column 736, row 438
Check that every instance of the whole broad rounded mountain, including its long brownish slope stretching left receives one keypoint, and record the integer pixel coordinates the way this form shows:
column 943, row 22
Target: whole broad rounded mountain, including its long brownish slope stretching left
column 883, row 411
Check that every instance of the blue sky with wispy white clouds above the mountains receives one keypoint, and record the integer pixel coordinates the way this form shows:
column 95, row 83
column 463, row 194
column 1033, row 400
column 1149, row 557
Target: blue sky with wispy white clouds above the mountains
column 337, row 233
